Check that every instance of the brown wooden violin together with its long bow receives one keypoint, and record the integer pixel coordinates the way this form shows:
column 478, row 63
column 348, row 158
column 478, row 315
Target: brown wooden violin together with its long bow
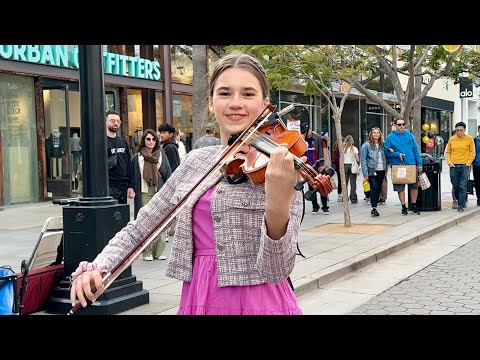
column 246, row 156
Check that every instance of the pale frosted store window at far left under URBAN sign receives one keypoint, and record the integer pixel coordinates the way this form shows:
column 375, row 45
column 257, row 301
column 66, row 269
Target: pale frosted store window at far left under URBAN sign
column 19, row 139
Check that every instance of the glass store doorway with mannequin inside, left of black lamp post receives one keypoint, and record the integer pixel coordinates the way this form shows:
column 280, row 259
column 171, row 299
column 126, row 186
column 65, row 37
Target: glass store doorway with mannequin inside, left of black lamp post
column 59, row 159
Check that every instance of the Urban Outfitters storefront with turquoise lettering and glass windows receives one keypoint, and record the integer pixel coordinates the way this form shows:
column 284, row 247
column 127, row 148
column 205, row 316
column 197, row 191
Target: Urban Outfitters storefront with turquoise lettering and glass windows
column 40, row 125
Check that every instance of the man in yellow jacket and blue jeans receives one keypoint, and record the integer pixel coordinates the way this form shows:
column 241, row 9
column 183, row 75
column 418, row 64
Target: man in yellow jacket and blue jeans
column 460, row 155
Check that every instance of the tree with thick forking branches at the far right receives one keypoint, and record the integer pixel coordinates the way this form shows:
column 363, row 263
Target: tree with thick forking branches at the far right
column 414, row 62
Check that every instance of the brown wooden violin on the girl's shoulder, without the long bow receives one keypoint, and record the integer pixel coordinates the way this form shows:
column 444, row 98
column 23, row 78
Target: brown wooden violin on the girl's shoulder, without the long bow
column 251, row 159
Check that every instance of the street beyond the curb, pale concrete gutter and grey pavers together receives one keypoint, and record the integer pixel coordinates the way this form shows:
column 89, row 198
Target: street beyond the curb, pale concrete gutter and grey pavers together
column 363, row 291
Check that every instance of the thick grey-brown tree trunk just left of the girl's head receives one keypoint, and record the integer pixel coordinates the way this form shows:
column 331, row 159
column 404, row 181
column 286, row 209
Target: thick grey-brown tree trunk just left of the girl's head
column 199, row 90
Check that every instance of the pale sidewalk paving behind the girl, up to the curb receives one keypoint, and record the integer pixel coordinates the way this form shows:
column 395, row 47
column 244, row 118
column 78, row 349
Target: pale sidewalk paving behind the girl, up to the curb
column 331, row 250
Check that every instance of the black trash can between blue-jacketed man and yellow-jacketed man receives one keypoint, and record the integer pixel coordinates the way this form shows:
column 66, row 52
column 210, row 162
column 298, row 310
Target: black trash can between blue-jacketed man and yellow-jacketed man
column 430, row 199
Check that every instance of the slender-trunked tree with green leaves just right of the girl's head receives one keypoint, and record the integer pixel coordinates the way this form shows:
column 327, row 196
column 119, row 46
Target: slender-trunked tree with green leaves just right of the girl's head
column 321, row 68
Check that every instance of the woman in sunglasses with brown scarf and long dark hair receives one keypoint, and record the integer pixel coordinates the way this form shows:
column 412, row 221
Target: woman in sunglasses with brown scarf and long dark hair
column 150, row 171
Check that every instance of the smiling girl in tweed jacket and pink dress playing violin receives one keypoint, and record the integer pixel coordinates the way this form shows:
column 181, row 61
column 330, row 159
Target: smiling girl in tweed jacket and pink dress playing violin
column 235, row 244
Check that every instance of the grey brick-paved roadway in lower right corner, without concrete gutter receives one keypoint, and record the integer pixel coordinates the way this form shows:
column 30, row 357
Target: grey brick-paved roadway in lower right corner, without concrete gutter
column 448, row 286
